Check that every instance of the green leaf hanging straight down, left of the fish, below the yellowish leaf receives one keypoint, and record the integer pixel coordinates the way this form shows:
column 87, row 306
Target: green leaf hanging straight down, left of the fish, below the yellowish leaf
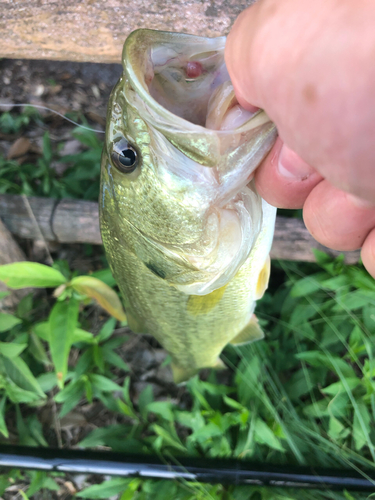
column 62, row 324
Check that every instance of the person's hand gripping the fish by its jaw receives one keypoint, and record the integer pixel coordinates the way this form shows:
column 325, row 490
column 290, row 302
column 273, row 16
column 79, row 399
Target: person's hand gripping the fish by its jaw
column 310, row 66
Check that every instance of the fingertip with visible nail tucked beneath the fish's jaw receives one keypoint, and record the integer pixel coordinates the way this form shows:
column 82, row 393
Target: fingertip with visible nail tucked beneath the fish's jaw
column 284, row 180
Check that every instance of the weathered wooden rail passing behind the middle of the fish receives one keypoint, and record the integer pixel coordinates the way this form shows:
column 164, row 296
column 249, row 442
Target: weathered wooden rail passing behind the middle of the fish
column 77, row 221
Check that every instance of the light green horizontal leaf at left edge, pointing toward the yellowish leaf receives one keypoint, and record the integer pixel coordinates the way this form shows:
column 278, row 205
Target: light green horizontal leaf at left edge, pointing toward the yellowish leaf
column 30, row 274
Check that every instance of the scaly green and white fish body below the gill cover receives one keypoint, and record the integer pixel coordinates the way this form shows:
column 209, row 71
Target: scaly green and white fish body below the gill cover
column 193, row 329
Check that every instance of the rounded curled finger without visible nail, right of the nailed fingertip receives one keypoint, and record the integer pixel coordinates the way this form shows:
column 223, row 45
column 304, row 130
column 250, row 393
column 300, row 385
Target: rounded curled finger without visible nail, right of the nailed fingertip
column 337, row 219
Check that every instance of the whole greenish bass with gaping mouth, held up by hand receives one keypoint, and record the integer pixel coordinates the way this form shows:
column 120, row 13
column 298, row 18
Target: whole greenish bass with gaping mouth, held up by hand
column 186, row 233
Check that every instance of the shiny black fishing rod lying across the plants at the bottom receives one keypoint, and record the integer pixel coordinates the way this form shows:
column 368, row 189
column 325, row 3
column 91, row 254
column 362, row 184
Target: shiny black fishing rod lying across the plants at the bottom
column 204, row 470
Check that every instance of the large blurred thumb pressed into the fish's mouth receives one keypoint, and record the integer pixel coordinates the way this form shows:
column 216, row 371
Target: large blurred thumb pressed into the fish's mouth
column 297, row 60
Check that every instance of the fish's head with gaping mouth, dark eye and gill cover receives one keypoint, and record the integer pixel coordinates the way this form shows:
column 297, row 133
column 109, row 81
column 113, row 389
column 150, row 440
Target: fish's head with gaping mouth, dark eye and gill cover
column 178, row 162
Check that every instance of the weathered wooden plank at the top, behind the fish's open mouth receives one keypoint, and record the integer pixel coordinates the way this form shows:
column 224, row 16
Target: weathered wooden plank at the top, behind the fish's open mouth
column 95, row 31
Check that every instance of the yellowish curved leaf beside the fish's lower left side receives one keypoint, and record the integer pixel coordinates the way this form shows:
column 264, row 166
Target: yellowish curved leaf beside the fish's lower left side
column 102, row 293
